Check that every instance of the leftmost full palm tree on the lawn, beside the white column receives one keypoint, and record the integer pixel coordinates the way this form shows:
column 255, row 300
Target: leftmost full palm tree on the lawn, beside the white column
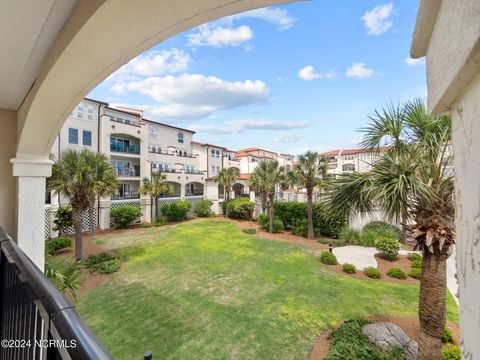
column 76, row 177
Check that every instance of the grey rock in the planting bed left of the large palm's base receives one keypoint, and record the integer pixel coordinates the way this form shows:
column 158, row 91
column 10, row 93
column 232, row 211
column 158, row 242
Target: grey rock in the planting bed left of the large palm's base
column 388, row 335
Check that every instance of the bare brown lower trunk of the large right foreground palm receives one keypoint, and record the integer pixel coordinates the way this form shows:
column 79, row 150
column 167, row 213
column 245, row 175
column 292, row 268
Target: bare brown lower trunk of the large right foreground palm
column 432, row 305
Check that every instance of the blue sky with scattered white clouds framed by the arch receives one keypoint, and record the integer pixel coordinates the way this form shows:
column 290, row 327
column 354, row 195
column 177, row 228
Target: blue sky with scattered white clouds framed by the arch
column 297, row 77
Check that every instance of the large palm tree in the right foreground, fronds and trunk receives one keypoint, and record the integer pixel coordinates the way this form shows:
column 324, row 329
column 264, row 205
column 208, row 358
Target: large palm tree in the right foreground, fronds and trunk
column 411, row 182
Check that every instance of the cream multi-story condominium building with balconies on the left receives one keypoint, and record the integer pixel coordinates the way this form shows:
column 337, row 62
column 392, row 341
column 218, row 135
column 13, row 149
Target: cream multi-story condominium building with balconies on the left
column 137, row 147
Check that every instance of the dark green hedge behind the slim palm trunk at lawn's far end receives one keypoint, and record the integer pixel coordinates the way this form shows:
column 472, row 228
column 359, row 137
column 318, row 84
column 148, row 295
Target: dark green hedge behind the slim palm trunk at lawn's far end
column 325, row 222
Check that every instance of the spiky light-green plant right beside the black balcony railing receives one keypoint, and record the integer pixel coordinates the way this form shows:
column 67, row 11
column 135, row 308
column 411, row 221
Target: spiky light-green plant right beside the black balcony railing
column 65, row 273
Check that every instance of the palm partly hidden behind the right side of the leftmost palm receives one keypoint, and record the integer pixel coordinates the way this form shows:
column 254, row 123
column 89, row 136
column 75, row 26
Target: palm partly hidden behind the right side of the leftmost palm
column 103, row 182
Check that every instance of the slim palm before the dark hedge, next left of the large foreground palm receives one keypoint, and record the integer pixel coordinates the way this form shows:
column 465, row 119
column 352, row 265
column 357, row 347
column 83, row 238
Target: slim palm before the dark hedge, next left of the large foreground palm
column 307, row 173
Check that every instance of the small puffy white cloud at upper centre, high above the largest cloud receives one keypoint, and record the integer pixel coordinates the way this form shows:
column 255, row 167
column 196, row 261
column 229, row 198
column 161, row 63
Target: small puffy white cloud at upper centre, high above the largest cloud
column 217, row 36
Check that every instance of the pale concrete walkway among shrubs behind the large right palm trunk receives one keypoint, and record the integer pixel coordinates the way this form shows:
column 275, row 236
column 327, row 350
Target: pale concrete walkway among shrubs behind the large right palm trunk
column 363, row 257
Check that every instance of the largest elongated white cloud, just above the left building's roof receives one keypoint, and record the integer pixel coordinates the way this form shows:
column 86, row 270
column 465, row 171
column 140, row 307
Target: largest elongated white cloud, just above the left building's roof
column 194, row 96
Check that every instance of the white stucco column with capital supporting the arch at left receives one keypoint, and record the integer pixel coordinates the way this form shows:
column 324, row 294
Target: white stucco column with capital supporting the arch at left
column 32, row 172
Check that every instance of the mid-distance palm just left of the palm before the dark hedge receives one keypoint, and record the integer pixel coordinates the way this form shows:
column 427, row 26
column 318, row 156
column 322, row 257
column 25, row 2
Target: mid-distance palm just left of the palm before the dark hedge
column 269, row 176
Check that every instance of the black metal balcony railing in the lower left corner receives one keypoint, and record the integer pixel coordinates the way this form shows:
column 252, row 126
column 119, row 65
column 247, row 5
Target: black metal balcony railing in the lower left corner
column 37, row 321
